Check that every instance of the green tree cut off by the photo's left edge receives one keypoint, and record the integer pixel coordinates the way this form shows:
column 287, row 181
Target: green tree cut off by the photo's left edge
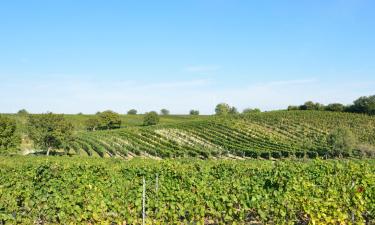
column 9, row 138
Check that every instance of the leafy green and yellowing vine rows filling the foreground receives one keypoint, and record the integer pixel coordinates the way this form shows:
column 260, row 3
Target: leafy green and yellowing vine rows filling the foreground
column 70, row 190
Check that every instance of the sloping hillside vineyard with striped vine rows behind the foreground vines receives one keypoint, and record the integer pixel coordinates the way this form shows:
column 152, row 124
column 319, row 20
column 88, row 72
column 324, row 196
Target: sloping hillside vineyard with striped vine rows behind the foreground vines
column 275, row 134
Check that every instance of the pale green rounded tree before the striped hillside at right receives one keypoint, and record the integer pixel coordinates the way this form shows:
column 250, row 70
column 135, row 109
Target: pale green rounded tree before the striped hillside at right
column 341, row 142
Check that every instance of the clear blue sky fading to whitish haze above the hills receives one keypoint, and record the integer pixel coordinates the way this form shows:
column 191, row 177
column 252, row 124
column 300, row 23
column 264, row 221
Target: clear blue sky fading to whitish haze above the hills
column 69, row 56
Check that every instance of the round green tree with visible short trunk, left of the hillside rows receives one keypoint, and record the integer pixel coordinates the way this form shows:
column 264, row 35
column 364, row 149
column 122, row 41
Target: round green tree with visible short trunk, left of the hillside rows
column 50, row 131
